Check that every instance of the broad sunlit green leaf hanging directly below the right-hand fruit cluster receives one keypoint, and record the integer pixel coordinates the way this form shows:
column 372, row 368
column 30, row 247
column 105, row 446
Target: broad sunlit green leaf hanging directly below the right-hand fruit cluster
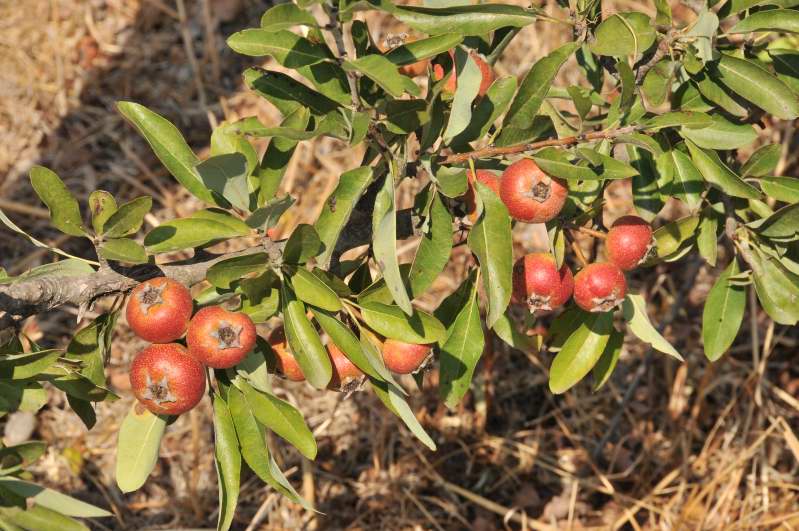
column 581, row 351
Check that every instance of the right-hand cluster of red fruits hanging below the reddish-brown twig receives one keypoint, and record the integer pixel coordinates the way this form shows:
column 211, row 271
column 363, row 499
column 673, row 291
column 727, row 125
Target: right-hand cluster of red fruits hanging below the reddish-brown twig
column 532, row 196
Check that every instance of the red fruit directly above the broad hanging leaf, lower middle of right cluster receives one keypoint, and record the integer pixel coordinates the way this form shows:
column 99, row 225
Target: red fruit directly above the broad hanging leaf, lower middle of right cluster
column 599, row 287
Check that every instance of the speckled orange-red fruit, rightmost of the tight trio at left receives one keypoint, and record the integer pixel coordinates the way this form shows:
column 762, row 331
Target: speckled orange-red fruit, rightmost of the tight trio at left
column 219, row 338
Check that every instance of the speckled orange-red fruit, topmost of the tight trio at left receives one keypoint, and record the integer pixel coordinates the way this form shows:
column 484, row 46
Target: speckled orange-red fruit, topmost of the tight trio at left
column 159, row 310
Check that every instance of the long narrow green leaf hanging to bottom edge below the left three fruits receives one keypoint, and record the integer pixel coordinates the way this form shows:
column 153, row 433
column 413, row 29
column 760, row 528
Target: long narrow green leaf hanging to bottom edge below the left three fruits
column 228, row 463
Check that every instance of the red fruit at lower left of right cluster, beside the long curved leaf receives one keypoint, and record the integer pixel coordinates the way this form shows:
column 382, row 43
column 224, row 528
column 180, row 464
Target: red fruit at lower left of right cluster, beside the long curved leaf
column 538, row 283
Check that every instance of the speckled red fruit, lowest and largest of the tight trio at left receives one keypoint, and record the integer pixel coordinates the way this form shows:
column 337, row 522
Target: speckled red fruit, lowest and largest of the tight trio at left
column 171, row 364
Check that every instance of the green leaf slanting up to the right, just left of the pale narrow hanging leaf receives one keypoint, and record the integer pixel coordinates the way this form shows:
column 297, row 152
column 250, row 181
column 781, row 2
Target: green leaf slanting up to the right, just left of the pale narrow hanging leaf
column 338, row 207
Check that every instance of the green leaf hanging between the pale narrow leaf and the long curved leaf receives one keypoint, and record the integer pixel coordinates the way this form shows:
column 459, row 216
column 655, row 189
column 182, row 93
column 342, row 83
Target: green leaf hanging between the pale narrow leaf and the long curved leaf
column 434, row 249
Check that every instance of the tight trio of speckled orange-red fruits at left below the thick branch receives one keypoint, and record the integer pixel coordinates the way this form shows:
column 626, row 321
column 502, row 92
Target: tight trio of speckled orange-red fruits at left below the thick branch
column 166, row 377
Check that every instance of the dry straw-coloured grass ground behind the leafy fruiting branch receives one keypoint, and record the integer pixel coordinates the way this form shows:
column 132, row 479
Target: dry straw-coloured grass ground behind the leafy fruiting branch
column 695, row 446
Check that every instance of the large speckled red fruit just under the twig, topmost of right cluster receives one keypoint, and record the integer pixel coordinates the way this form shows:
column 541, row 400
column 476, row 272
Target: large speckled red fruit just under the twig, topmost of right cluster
column 531, row 195
